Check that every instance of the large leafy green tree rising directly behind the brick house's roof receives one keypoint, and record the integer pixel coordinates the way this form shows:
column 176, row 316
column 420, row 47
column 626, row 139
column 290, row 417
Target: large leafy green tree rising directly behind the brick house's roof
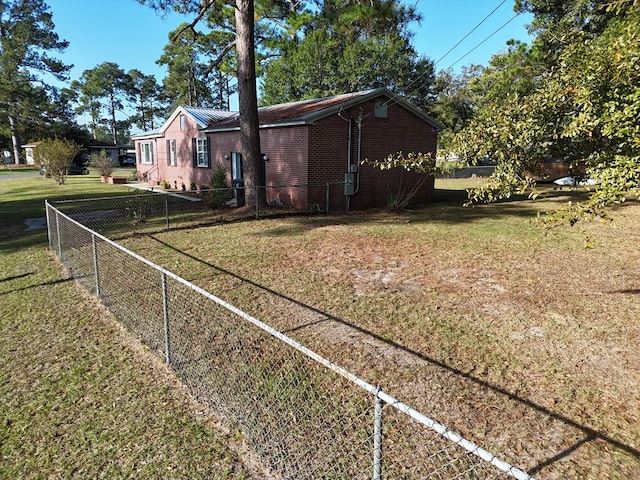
column 350, row 46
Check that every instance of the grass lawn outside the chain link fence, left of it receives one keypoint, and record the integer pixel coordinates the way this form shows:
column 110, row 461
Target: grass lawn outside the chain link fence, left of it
column 79, row 398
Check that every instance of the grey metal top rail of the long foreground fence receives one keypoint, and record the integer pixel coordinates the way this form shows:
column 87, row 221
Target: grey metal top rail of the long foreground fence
column 376, row 391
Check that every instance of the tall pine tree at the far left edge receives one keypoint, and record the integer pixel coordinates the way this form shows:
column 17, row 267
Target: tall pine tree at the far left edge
column 26, row 37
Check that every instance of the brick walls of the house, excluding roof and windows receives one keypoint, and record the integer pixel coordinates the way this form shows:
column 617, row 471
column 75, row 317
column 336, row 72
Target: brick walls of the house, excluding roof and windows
column 303, row 159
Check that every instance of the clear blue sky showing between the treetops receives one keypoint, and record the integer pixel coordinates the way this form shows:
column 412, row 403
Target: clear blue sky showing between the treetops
column 131, row 35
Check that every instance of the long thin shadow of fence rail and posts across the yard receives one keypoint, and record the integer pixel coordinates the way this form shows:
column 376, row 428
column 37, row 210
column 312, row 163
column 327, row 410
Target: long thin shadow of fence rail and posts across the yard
column 590, row 434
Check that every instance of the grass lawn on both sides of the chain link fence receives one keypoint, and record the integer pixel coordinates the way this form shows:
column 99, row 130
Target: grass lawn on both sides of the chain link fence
column 522, row 339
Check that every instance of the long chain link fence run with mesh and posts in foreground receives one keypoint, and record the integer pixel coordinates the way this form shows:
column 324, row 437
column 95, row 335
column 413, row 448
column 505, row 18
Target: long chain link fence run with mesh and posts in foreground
column 306, row 417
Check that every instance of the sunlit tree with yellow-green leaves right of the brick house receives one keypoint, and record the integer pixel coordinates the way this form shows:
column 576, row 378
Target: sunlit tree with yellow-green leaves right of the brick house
column 583, row 108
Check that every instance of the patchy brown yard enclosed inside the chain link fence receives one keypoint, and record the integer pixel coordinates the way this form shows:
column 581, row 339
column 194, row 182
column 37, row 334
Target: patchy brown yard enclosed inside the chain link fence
column 523, row 341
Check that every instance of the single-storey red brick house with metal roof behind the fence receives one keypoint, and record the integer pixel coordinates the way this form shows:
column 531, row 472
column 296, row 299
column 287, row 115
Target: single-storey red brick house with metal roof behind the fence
column 310, row 149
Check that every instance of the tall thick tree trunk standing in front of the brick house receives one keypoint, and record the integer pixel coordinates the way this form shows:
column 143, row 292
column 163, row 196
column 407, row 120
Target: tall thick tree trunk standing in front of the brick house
column 248, row 103
